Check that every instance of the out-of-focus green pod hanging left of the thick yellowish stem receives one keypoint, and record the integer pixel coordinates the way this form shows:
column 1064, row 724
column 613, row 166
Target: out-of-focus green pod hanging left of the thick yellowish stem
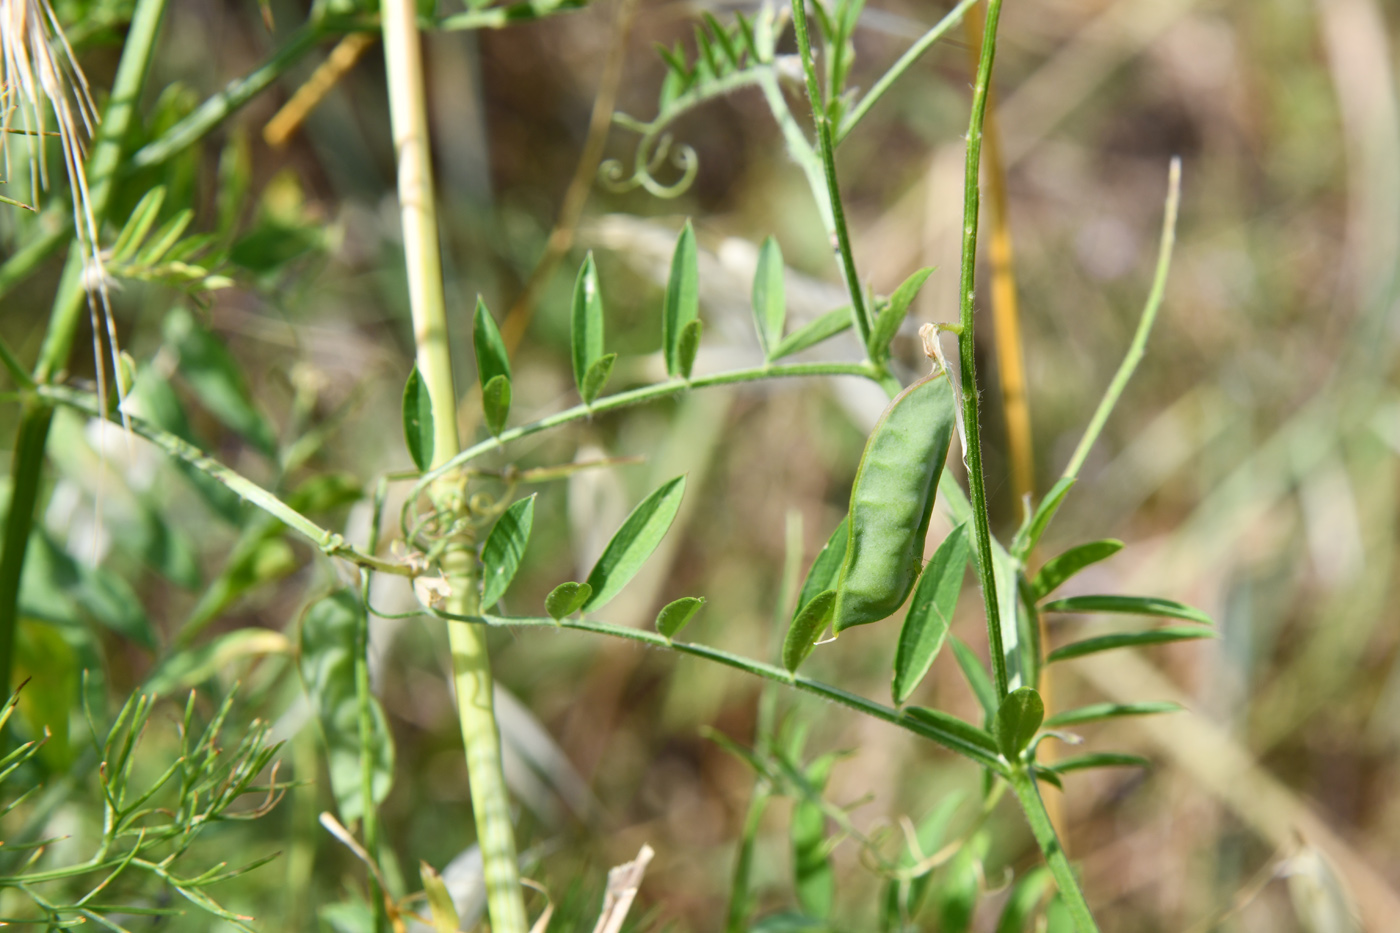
column 330, row 644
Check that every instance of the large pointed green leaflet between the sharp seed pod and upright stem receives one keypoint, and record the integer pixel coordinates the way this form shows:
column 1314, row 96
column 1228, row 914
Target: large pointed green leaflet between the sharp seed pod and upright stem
column 930, row 613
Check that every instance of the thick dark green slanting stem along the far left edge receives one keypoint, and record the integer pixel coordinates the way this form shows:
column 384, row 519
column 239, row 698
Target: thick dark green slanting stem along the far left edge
column 27, row 469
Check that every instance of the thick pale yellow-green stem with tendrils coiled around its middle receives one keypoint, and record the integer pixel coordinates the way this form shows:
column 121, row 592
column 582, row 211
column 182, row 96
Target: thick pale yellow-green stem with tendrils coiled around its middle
column 471, row 663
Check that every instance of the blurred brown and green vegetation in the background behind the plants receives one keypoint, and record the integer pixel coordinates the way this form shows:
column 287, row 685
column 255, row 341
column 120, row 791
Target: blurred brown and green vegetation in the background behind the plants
column 1251, row 469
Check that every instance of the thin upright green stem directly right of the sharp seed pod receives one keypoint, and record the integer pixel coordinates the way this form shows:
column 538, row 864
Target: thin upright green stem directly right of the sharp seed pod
column 976, row 484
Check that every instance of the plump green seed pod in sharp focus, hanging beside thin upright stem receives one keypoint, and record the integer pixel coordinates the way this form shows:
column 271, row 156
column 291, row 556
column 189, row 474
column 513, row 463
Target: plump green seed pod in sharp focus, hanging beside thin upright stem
column 892, row 501
